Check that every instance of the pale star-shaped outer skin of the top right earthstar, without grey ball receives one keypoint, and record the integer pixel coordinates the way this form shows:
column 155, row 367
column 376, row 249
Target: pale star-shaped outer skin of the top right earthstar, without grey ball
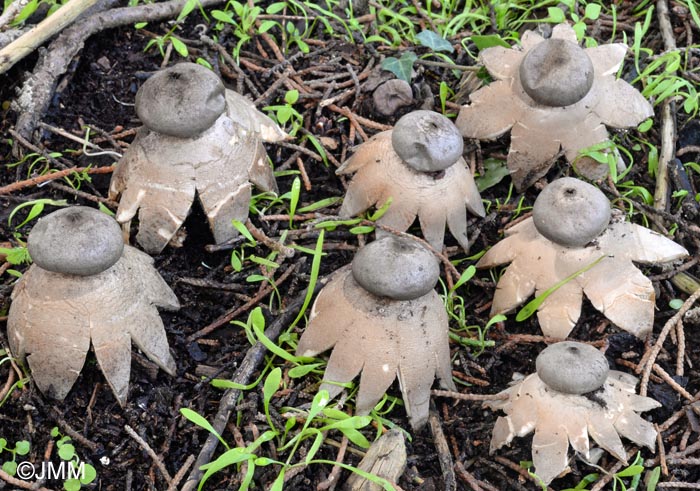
column 539, row 131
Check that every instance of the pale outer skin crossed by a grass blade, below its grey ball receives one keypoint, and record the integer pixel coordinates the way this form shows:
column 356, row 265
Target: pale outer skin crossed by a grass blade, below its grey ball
column 615, row 286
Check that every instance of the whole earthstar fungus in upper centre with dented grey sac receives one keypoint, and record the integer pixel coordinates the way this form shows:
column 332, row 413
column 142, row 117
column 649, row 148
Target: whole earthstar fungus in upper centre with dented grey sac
column 418, row 165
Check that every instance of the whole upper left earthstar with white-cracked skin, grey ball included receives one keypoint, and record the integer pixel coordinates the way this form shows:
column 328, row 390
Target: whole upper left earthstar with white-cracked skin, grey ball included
column 198, row 138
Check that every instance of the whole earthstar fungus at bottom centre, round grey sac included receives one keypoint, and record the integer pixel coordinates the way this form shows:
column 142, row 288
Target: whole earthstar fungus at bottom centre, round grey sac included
column 382, row 317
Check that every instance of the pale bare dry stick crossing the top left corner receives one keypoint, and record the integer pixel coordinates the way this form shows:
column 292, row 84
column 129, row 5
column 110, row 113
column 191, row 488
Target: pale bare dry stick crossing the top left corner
column 29, row 41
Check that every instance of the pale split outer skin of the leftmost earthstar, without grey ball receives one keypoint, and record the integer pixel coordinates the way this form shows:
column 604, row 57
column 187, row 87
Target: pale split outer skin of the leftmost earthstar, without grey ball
column 55, row 317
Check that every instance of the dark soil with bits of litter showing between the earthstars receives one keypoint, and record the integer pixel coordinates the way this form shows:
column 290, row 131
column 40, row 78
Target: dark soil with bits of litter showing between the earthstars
column 98, row 90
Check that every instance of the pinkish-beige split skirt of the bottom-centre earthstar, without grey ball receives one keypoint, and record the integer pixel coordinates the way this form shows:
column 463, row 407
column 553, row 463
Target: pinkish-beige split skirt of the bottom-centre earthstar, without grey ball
column 382, row 339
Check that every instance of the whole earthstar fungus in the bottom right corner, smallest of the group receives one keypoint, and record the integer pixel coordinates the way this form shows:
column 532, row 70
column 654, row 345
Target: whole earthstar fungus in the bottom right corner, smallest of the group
column 573, row 395
